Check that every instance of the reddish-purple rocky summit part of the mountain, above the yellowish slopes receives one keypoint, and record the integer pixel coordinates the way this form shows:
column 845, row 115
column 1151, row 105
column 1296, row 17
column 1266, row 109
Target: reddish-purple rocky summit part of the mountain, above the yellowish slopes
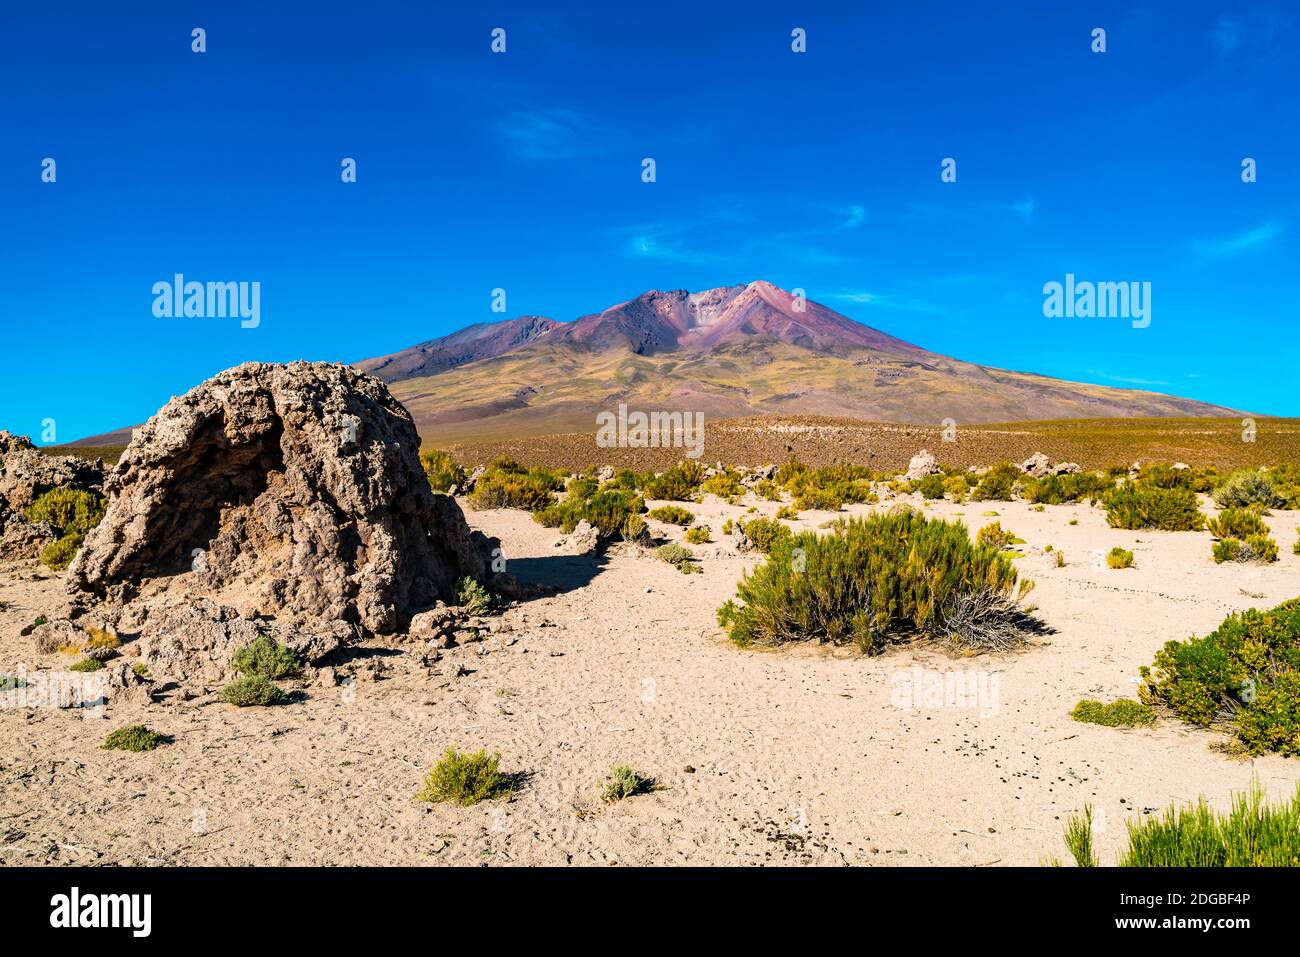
column 699, row 322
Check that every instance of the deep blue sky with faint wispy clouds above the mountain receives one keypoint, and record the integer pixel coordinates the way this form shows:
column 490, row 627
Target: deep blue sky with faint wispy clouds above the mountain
column 523, row 171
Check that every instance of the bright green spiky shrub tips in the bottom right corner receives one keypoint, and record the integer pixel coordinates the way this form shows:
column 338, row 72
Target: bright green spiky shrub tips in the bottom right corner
column 1251, row 835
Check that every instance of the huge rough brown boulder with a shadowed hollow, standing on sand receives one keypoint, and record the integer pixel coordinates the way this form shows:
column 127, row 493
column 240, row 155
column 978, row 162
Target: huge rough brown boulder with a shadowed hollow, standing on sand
column 287, row 492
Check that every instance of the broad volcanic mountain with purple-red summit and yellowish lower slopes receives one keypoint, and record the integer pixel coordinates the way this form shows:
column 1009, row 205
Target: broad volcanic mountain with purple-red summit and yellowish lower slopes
column 729, row 352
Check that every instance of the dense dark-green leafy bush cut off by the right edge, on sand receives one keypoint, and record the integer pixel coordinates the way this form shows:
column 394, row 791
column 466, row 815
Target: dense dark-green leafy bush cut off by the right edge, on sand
column 1243, row 677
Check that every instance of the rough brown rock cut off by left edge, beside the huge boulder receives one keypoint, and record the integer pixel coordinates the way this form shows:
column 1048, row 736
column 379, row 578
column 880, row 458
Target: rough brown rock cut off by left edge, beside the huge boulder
column 27, row 474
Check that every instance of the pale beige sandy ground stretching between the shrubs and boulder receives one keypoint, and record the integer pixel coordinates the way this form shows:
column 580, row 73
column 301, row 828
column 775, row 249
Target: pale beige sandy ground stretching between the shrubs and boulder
column 801, row 756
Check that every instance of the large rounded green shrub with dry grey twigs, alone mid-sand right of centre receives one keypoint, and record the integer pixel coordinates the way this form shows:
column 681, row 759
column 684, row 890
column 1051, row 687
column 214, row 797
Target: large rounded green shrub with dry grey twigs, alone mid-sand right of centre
column 870, row 581
